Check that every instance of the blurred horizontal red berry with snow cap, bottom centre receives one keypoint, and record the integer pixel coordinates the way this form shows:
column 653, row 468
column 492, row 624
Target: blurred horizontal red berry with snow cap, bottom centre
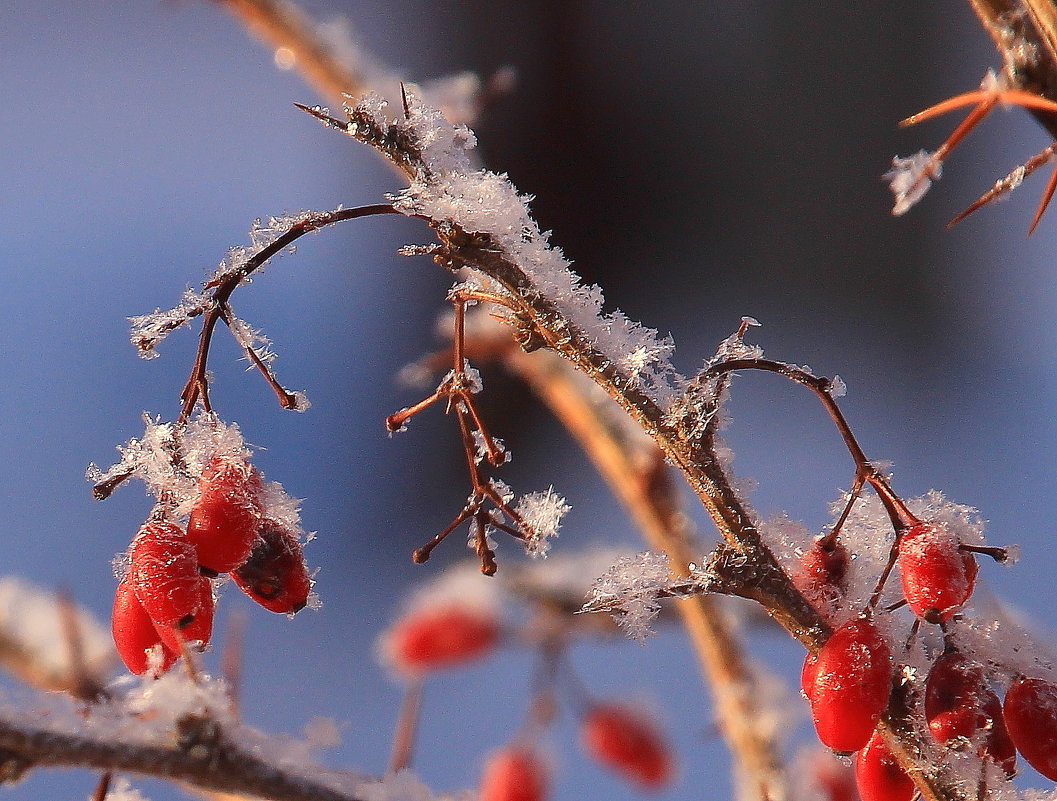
column 428, row 640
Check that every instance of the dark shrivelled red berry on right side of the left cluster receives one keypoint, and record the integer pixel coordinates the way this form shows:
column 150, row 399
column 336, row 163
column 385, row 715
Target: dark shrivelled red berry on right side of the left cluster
column 275, row 574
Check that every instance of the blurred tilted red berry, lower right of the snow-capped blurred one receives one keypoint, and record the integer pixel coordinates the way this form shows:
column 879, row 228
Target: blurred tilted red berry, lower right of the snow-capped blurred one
column 628, row 743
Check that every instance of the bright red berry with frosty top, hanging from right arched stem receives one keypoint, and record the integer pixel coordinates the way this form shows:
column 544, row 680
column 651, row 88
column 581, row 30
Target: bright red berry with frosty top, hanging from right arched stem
column 938, row 579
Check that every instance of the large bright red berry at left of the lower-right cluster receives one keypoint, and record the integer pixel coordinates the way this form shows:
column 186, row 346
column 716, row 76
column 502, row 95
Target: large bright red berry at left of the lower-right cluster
column 852, row 682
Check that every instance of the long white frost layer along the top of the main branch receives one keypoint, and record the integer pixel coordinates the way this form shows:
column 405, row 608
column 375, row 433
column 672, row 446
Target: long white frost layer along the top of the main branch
column 450, row 189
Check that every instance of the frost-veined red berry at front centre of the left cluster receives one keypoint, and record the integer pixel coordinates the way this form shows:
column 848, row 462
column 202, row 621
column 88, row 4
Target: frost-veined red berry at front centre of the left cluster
column 163, row 570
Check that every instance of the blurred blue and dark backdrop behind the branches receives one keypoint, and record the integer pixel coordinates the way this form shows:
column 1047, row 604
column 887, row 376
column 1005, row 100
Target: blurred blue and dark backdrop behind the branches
column 701, row 162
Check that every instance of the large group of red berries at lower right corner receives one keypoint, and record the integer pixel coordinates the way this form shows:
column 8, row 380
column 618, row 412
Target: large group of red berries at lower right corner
column 849, row 680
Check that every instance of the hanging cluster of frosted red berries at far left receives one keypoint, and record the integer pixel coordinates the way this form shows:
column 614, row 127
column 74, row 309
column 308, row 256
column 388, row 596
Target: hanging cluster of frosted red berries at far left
column 165, row 600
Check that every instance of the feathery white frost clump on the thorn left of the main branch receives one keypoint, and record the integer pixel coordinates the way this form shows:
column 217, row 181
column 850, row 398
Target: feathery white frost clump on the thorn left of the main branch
column 633, row 589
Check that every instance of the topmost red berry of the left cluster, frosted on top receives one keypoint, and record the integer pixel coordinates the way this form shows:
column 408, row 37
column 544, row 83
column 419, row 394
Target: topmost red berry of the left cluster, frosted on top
column 226, row 517
